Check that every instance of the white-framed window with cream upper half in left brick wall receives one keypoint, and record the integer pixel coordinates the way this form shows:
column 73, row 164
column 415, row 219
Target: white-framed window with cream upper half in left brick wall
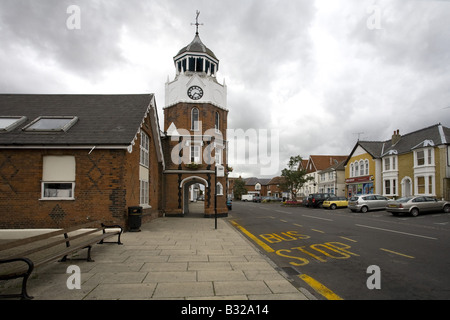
column 58, row 178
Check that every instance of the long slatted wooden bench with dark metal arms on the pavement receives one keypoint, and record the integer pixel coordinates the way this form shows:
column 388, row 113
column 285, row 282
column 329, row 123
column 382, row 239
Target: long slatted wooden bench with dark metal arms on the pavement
column 18, row 258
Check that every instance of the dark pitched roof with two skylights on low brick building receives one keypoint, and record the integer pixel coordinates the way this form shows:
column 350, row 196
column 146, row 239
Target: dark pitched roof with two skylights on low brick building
column 102, row 119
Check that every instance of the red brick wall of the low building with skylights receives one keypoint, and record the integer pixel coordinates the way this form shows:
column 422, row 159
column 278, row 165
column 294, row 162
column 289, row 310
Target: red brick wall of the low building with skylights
column 107, row 183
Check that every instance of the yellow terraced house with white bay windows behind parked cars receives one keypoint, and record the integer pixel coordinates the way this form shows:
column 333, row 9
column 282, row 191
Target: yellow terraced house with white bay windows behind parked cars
column 417, row 163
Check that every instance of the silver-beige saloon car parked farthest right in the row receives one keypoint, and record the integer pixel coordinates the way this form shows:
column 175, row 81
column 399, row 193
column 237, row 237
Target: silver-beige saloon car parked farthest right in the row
column 416, row 205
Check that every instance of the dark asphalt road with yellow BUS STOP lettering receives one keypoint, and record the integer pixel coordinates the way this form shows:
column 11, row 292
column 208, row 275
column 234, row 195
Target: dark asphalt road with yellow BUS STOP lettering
column 330, row 252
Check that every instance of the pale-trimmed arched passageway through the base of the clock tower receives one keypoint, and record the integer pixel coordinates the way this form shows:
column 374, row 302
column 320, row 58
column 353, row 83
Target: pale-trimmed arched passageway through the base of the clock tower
column 191, row 187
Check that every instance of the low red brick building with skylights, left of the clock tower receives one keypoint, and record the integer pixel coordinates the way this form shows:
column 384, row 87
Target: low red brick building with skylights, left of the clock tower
column 68, row 158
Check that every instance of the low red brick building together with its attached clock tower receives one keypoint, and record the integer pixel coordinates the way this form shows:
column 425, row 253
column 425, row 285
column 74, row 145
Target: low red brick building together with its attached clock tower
column 68, row 158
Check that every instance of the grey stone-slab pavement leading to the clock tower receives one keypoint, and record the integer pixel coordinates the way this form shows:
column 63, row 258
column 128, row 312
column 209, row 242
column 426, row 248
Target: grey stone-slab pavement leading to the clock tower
column 170, row 258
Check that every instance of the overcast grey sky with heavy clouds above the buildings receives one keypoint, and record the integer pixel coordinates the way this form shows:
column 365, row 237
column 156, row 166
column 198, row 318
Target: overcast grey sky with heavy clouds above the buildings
column 322, row 73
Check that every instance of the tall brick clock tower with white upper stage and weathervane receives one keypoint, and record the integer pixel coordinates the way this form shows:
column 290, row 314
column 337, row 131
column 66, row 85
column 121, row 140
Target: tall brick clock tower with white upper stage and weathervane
column 195, row 124
